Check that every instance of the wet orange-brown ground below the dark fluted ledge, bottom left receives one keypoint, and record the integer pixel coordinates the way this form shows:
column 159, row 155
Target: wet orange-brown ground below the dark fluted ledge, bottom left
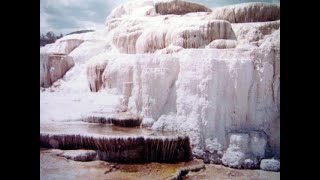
column 53, row 166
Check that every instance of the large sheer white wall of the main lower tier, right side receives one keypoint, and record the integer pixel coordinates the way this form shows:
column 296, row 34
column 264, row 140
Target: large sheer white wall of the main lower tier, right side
column 226, row 90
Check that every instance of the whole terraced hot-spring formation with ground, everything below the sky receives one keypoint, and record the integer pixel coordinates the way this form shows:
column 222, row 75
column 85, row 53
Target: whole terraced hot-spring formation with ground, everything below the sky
column 166, row 89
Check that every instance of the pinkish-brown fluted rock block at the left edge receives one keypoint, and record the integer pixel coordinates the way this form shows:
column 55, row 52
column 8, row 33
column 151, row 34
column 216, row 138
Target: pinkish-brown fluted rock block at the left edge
column 53, row 67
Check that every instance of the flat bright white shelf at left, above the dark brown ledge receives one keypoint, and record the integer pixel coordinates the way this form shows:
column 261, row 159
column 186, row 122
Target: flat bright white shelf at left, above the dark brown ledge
column 61, row 107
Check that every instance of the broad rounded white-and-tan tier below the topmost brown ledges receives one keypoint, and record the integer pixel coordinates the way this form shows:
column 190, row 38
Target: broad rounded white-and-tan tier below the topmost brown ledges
column 146, row 35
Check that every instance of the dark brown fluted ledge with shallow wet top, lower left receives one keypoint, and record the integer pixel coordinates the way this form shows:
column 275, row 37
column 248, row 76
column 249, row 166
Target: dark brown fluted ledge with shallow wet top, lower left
column 117, row 144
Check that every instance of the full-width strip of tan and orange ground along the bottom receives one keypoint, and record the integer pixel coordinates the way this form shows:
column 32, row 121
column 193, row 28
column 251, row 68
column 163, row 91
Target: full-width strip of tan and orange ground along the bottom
column 53, row 166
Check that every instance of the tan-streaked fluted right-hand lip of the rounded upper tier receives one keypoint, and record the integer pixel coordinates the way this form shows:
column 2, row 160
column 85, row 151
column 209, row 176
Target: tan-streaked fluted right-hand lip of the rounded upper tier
column 186, row 36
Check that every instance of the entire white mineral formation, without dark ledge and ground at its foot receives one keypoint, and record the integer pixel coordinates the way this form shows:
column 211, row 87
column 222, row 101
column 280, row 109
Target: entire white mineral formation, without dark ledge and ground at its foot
column 160, row 67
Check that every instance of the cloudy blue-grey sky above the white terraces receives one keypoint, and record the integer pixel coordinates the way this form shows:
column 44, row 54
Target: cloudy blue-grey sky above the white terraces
column 65, row 16
